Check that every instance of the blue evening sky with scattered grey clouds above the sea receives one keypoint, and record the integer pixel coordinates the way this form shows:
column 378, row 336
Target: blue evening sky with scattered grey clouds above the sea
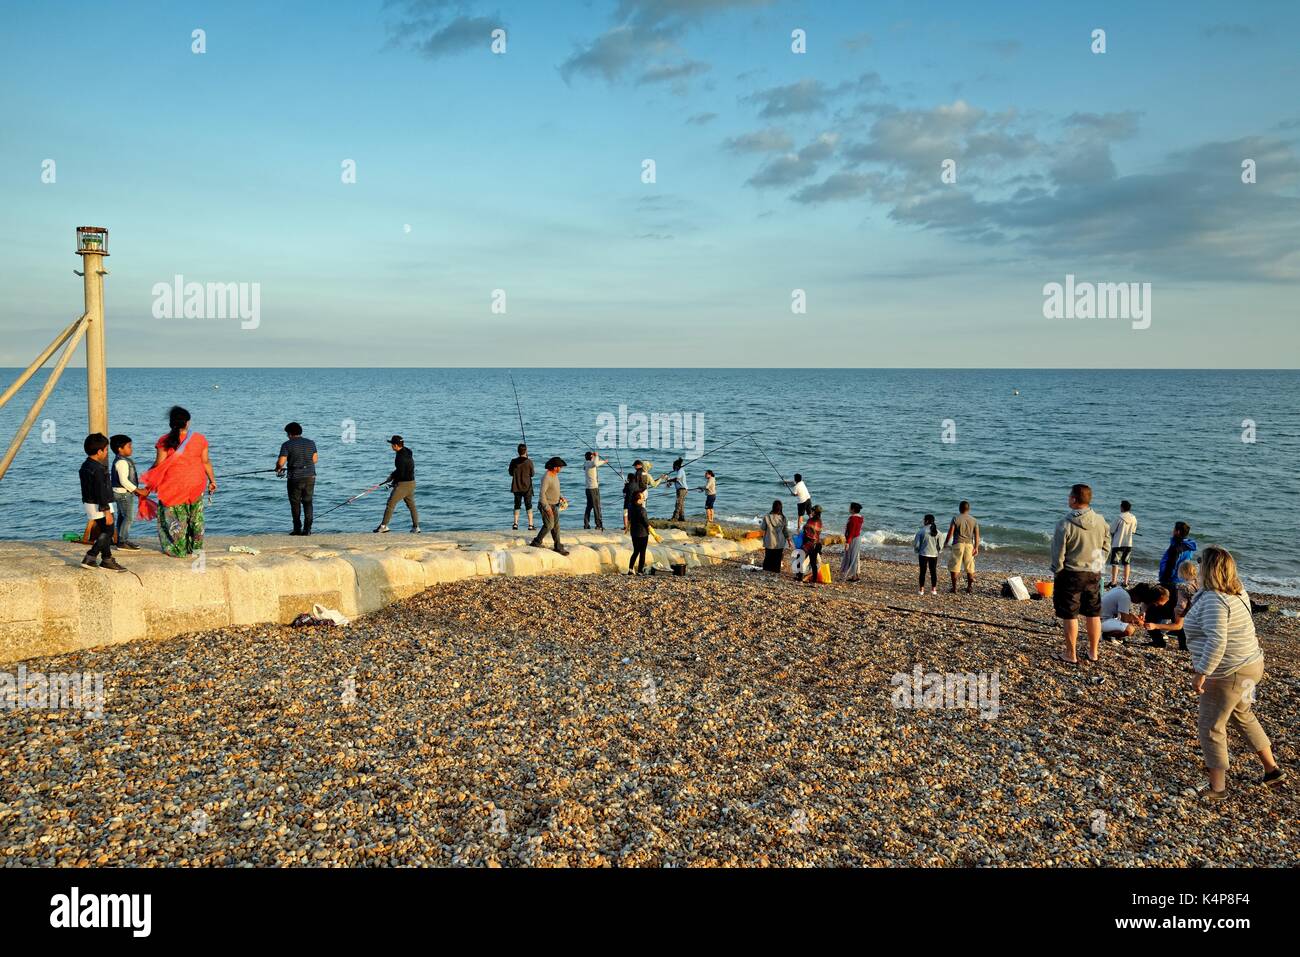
column 501, row 213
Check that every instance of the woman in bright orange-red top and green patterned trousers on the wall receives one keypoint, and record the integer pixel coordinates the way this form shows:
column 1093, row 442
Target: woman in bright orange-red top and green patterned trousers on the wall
column 181, row 474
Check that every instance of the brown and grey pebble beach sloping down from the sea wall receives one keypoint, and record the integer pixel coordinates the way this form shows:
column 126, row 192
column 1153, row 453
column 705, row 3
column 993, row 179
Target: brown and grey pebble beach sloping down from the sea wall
column 726, row 718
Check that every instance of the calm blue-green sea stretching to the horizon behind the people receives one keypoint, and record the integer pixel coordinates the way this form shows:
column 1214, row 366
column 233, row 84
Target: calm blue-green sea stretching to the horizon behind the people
column 1169, row 441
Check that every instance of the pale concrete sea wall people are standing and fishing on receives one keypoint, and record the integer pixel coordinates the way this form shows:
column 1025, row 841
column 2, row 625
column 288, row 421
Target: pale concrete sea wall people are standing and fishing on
column 50, row 605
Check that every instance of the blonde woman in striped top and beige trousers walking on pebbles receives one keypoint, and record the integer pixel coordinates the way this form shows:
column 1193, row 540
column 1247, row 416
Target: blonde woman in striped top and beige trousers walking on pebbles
column 1229, row 666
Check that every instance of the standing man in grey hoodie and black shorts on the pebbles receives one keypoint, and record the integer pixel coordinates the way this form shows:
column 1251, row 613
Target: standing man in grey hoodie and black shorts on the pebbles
column 1080, row 549
